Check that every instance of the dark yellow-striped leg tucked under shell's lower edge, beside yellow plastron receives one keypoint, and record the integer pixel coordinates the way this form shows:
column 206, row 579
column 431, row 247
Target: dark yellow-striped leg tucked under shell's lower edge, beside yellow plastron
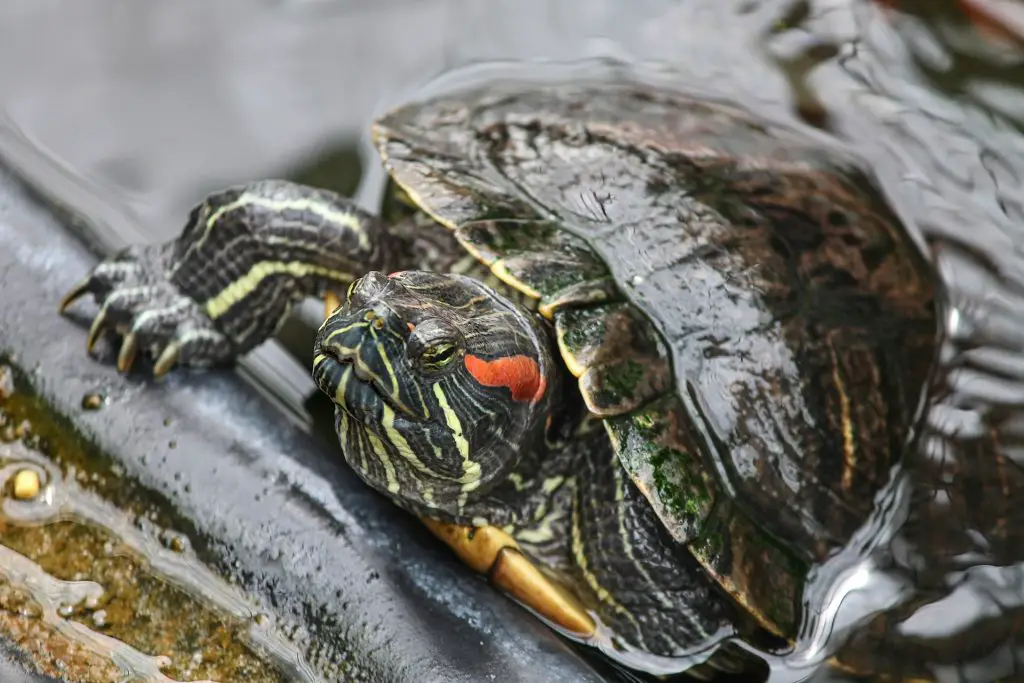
column 588, row 525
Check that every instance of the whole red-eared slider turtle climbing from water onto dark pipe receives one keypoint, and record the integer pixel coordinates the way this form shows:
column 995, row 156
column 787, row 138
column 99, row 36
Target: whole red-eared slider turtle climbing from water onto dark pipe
column 664, row 350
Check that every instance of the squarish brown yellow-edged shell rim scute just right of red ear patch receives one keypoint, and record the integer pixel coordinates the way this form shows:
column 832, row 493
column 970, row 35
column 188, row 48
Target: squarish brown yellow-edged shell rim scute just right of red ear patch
column 620, row 359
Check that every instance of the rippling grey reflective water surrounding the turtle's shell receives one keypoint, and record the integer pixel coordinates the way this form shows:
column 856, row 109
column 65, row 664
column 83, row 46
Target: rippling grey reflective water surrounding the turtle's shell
column 142, row 109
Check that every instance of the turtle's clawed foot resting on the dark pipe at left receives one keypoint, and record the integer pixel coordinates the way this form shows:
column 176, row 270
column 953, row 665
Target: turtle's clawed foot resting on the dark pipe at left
column 151, row 315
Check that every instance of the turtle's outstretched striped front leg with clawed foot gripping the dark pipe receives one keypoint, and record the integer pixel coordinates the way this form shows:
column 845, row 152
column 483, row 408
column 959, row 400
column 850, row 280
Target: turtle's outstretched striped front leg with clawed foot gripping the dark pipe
column 228, row 283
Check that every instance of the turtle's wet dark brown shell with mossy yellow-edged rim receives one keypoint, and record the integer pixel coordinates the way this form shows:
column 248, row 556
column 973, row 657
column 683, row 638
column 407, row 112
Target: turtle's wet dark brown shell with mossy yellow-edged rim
column 739, row 302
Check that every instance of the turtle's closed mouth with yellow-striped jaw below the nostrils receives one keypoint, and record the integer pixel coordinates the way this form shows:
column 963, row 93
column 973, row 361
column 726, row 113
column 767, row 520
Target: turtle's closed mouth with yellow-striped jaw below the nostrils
column 347, row 380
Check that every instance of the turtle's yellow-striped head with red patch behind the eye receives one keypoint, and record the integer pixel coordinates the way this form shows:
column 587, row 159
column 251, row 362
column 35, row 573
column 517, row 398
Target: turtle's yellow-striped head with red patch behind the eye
column 439, row 382
